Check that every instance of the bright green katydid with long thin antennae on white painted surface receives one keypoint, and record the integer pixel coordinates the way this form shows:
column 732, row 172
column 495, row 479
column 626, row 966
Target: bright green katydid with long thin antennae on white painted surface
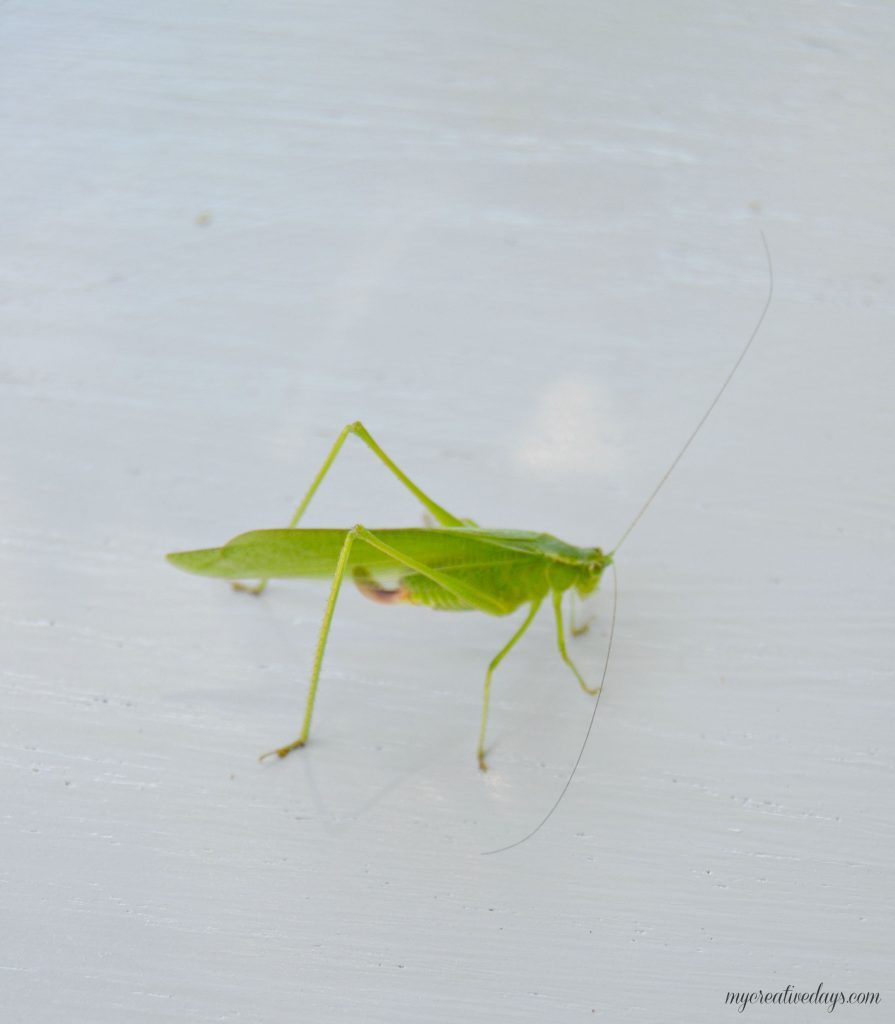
column 454, row 566
